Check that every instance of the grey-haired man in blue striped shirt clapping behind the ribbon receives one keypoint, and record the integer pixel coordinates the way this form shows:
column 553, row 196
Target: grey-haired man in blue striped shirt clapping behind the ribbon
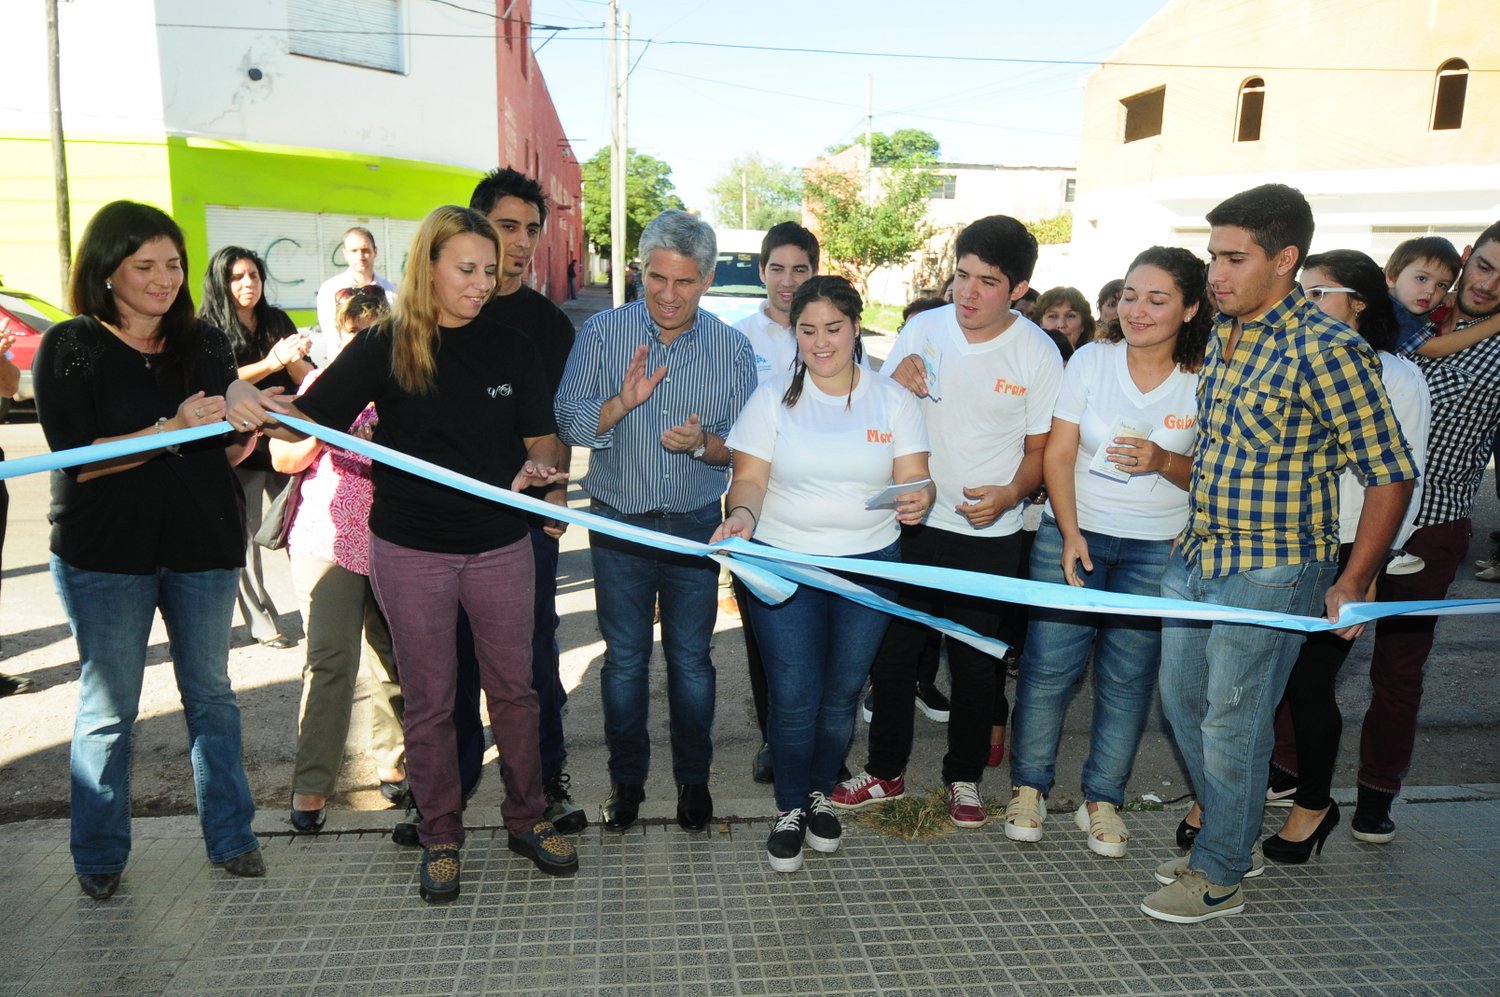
column 652, row 389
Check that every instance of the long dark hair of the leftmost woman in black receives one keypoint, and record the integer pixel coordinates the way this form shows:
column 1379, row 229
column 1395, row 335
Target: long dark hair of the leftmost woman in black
column 116, row 233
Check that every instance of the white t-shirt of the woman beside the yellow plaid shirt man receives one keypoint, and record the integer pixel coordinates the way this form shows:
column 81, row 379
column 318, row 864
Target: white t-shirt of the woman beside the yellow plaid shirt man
column 1097, row 391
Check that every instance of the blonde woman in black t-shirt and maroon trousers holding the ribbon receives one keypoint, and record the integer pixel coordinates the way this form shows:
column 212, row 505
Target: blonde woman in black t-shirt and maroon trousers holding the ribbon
column 454, row 389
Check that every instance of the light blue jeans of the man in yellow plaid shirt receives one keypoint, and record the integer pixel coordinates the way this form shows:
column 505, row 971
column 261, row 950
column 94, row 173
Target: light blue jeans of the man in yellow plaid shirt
column 1220, row 687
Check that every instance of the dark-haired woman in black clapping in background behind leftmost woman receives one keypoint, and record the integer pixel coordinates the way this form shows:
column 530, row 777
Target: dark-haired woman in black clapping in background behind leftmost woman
column 269, row 352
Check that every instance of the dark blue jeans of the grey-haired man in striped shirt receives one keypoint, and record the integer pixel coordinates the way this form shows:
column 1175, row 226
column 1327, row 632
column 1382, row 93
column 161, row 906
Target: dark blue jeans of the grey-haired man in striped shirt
column 628, row 581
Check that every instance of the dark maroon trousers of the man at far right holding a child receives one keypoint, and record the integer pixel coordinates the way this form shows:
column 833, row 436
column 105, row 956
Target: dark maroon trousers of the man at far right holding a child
column 1400, row 656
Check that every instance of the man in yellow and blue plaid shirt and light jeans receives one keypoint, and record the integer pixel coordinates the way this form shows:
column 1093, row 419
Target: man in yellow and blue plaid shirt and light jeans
column 1288, row 397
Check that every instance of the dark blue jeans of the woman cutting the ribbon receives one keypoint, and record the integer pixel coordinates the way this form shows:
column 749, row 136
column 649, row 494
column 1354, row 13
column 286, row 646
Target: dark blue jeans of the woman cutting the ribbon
column 817, row 648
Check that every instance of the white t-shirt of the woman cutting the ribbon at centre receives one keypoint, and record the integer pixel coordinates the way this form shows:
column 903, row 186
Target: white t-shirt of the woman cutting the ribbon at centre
column 829, row 455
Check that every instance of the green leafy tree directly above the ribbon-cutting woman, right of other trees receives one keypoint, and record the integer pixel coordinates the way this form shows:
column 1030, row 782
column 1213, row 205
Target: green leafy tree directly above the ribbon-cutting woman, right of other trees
column 865, row 227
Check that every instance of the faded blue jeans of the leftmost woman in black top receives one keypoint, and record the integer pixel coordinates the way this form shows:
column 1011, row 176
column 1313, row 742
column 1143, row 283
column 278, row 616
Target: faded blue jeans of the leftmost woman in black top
column 112, row 621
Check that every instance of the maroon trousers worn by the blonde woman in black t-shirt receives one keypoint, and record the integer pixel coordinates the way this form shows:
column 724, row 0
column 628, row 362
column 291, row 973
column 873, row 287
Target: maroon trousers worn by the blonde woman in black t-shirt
column 421, row 594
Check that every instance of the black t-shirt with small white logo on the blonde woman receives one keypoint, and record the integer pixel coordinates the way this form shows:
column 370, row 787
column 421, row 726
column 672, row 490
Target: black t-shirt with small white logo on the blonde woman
column 491, row 394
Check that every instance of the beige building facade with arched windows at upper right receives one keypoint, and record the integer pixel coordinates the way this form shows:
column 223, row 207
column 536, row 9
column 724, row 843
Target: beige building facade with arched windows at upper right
column 1381, row 112
